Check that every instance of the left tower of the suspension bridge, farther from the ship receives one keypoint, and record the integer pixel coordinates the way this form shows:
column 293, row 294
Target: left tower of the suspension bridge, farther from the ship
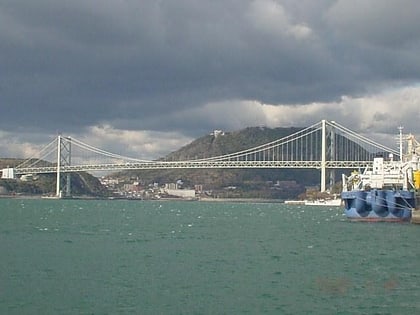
column 63, row 159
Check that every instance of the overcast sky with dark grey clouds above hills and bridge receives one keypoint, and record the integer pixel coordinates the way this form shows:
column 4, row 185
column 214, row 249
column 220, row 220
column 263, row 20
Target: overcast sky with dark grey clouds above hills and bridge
column 145, row 77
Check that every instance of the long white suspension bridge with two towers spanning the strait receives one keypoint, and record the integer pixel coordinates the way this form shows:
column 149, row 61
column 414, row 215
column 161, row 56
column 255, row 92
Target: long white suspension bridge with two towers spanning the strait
column 326, row 146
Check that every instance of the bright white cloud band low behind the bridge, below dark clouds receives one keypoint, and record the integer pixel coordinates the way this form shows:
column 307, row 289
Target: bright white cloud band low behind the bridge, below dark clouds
column 377, row 116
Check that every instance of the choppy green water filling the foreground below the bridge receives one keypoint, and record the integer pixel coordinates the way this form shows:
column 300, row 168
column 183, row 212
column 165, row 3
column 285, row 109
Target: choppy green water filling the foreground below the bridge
column 137, row 257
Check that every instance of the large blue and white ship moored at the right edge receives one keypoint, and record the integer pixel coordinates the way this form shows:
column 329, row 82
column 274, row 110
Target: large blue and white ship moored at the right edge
column 388, row 190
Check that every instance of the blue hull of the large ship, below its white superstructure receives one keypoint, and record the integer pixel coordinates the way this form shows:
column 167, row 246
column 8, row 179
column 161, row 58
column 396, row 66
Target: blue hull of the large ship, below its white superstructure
column 378, row 205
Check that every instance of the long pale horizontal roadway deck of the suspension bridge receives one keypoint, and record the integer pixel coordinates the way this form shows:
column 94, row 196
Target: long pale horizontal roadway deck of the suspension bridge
column 198, row 164
